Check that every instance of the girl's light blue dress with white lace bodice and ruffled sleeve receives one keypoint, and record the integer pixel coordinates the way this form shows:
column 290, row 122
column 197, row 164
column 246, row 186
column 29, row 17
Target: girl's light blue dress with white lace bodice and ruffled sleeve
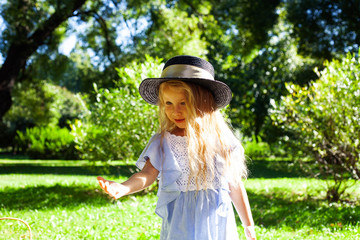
column 188, row 214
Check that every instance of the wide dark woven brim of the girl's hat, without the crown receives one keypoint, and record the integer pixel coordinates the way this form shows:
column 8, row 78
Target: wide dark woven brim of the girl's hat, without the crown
column 149, row 89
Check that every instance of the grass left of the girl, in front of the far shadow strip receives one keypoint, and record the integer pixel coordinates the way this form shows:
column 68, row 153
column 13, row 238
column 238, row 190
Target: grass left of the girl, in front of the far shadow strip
column 72, row 207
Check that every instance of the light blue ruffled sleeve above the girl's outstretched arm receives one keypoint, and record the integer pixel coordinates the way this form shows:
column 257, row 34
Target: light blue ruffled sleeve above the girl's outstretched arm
column 162, row 158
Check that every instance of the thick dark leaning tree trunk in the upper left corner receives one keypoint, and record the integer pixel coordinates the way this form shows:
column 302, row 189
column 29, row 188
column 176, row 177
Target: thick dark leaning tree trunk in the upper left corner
column 21, row 49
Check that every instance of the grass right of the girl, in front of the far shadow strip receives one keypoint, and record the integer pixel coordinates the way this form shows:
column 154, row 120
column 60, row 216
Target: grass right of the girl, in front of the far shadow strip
column 294, row 208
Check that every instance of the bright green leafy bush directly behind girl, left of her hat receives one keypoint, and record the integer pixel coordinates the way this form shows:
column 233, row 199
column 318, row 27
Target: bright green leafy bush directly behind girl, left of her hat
column 121, row 122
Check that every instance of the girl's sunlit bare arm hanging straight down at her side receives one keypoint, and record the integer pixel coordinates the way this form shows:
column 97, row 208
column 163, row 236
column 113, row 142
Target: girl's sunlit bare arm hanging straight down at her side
column 240, row 200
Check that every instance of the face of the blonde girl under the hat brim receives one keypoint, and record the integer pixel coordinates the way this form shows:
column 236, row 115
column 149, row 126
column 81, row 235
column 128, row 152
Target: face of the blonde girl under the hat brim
column 175, row 106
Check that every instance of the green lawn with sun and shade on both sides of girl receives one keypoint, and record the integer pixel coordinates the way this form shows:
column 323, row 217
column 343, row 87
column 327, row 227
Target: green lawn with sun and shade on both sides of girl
column 61, row 200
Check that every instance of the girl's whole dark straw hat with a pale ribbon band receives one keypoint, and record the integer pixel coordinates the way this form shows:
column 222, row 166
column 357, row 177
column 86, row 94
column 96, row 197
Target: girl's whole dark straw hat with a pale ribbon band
column 188, row 69
